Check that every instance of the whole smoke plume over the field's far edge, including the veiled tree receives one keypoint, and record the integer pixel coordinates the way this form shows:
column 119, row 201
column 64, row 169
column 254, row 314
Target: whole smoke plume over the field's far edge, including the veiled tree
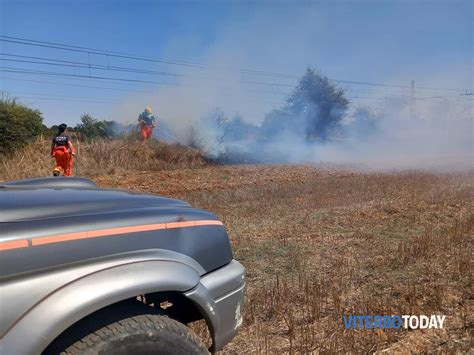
column 236, row 114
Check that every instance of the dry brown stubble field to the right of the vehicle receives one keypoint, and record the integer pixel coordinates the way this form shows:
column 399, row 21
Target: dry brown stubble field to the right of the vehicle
column 319, row 243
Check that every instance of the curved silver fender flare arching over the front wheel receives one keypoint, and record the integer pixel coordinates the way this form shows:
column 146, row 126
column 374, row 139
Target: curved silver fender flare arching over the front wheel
column 36, row 329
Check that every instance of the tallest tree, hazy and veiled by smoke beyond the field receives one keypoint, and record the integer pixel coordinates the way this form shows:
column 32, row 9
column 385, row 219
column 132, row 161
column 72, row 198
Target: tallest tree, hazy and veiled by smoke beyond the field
column 315, row 109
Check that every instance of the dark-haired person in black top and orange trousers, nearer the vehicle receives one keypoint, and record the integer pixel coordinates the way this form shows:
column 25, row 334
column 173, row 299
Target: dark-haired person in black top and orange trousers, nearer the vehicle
column 63, row 151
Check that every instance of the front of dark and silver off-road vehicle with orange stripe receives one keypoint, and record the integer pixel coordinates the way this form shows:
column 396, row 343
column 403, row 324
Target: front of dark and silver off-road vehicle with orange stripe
column 98, row 271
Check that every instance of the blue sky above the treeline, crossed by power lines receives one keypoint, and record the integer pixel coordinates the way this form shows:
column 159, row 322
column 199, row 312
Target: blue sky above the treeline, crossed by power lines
column 371, row 41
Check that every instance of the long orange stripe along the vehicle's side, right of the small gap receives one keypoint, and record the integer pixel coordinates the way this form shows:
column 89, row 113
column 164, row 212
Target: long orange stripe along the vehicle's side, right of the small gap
column 121, row 230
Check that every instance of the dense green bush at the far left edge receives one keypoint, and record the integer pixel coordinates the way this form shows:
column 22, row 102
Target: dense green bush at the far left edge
column 18, row 125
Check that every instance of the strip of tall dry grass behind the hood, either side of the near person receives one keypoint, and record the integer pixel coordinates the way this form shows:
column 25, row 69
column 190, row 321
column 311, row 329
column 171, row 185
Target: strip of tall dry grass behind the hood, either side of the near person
column 100, row 157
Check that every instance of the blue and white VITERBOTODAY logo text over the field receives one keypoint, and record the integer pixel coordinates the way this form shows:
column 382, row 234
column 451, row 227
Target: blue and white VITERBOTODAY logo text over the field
column 393, row 322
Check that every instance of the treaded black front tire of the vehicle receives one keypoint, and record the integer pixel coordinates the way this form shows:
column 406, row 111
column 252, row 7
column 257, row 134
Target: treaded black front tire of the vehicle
column 140, row 334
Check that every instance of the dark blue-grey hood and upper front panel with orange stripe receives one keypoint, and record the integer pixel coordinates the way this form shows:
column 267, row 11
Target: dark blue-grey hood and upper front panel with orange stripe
column 55, row 222
